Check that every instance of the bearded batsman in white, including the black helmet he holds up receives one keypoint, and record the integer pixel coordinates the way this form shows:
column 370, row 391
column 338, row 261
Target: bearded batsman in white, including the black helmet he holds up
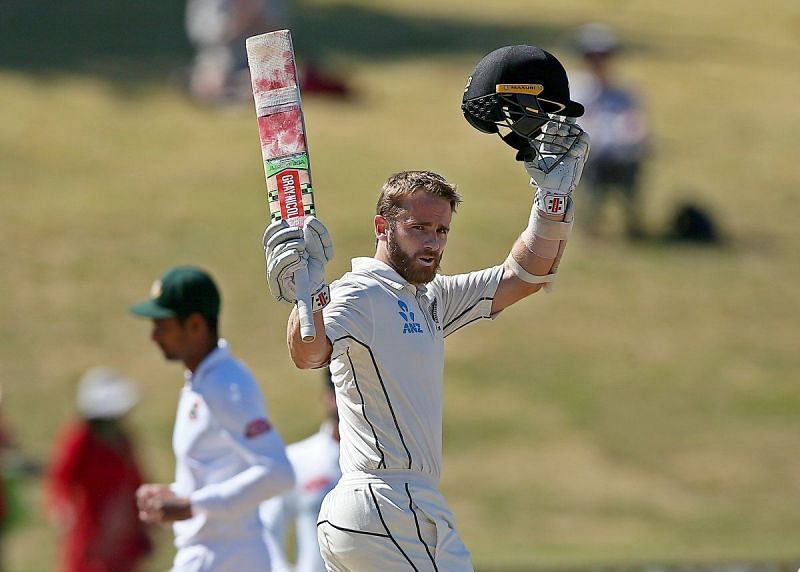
column 386, row 320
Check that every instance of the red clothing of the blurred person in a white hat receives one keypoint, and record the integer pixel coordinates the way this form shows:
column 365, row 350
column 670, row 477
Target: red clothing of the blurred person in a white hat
column 92, row 482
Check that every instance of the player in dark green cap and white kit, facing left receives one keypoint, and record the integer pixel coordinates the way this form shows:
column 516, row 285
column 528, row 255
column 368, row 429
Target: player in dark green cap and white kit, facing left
column 228, row 456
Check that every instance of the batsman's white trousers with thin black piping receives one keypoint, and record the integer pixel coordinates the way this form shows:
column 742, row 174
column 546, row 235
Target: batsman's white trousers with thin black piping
column 386, row 521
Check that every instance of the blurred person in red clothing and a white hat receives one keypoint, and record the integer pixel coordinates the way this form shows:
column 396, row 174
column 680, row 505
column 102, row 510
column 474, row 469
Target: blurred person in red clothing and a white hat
column 92, row 481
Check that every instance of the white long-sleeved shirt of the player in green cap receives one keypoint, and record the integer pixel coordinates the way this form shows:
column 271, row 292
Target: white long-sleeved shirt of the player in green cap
column 229, row 459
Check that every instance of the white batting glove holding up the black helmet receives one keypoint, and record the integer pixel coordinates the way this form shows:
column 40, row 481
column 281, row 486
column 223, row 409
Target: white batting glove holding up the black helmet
column 554, row 175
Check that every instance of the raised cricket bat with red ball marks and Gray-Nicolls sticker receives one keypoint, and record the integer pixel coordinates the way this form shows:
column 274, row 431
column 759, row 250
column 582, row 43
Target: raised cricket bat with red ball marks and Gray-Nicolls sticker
column 281, row 129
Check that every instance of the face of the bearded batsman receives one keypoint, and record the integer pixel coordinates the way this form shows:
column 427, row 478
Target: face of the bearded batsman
column 416, row 238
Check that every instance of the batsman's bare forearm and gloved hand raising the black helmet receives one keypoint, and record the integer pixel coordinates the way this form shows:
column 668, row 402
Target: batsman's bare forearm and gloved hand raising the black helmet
column 535, row 256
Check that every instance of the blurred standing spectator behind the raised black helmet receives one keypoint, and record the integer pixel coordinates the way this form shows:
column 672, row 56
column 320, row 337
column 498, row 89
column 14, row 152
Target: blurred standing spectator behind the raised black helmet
column 618, row 128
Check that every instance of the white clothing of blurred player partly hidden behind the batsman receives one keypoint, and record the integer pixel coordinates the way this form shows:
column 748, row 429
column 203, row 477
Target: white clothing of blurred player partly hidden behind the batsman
column 316, row 466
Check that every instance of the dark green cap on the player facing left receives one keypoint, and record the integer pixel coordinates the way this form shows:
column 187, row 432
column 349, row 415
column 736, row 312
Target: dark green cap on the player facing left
column 181, row 291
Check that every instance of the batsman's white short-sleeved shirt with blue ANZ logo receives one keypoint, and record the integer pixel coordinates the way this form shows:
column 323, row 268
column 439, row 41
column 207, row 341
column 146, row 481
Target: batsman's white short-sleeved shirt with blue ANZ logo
column 388, row 361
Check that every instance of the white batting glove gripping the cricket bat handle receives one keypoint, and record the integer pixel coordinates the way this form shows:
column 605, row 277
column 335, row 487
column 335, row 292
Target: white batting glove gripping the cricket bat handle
column 288, row 249
